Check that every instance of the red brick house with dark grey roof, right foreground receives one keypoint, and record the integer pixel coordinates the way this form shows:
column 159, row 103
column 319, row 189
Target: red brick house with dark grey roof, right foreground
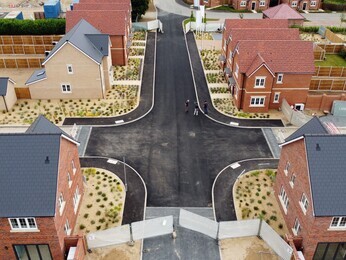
column 310, row 188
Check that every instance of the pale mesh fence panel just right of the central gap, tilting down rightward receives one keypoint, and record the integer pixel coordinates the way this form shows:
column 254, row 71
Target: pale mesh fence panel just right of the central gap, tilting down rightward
column 197, row 223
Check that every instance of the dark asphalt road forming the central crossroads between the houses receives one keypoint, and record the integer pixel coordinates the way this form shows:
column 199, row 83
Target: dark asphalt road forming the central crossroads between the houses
column 177, row 154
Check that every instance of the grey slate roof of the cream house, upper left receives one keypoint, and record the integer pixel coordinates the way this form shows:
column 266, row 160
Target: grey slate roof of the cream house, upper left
column 79, row 36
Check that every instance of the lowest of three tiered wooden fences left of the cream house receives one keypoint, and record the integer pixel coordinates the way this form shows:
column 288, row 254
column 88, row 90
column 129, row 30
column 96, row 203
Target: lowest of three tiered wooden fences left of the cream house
column 16, row 63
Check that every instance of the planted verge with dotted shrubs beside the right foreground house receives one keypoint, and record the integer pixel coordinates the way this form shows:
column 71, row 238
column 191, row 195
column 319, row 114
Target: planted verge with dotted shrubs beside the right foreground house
column 254, row 197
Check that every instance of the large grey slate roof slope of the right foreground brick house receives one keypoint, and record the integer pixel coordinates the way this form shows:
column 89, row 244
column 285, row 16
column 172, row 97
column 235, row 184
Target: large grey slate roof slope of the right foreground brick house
column 327, row 169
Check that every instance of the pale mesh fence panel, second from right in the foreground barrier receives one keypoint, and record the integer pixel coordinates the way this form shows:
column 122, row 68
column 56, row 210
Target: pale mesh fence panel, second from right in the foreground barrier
column 241, row 228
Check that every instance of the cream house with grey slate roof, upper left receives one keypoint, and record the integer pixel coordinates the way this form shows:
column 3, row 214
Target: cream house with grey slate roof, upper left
column 79, row 66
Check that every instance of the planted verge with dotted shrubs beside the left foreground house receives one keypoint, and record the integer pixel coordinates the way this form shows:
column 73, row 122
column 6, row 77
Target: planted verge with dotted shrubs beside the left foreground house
column 103, row 201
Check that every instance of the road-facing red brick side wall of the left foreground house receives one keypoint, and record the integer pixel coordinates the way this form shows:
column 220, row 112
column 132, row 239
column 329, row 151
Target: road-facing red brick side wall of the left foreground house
column 68, row 153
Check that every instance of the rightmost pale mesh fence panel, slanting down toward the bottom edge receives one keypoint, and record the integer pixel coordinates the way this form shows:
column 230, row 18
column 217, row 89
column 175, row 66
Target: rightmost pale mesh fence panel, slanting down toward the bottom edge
column 275, row 241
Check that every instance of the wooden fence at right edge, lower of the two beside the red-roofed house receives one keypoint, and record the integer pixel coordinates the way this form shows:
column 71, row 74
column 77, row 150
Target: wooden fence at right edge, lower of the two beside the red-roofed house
column 320, row 84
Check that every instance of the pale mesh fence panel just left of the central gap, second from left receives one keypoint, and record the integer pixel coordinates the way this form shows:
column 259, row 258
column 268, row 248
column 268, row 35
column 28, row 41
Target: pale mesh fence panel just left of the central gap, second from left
column 152, row 227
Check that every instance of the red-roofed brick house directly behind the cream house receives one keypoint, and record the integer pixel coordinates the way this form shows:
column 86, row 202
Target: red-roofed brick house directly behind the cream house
column 109, row 18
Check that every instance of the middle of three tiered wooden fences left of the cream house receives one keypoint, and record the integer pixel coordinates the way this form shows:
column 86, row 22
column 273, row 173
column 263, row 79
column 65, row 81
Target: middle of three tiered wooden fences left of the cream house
column 25, row 49
